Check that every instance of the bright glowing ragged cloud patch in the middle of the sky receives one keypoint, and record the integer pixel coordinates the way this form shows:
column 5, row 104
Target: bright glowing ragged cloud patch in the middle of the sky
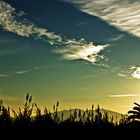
column 82, row 50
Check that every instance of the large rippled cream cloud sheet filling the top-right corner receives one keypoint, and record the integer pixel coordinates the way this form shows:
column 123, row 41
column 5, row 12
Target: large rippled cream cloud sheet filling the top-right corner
column 123, row 14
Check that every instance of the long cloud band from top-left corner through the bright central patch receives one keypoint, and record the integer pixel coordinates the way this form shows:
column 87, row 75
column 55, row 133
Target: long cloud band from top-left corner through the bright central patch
column 12, row 21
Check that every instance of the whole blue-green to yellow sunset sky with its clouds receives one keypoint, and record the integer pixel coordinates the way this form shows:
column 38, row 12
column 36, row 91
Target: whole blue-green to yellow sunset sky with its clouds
column 76, row 52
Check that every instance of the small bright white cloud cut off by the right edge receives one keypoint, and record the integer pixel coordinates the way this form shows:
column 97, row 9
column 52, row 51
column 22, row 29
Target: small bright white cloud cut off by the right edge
column 135, row 72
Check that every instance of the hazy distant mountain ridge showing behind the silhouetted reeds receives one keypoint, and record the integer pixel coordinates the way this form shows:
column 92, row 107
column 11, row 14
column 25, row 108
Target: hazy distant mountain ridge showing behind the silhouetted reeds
column 66, row 113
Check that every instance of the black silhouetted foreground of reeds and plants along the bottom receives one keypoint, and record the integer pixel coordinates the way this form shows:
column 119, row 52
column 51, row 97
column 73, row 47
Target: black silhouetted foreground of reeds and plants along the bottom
column 89, row 124
